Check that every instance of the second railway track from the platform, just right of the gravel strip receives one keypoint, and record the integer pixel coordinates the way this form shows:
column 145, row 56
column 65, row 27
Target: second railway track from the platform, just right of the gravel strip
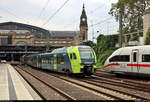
column 115, row 94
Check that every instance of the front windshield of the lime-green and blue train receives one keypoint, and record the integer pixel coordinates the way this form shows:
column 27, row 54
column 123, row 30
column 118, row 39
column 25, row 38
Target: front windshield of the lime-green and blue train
column 86, row 53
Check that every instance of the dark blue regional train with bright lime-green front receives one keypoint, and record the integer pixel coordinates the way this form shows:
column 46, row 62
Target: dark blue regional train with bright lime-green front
column 70, row 60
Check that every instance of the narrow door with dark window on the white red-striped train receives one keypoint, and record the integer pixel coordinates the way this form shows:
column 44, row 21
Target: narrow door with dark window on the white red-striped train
column 135, row 61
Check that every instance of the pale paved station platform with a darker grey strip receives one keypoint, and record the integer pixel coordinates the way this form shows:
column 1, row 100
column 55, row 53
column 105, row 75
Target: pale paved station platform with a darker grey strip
column 13, row 86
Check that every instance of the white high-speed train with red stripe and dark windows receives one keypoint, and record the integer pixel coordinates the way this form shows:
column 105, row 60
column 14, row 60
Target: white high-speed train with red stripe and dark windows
column 129, row 60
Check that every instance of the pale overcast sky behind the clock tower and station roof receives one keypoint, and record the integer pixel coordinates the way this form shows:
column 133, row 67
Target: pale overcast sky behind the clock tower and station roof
column 37, row 13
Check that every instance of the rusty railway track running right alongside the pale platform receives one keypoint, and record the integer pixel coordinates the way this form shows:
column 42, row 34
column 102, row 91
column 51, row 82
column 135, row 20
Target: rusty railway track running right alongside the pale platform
column 27, row 75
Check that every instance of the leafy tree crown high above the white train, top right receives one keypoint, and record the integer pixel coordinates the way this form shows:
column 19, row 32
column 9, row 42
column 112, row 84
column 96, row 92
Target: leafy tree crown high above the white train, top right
column 132, row 13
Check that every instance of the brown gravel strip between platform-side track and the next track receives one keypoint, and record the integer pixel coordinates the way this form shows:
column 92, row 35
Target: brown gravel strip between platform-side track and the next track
column 72, row 90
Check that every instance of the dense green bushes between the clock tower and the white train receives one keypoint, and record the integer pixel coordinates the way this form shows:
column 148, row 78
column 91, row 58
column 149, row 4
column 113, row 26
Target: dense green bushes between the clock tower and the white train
column 104, row 48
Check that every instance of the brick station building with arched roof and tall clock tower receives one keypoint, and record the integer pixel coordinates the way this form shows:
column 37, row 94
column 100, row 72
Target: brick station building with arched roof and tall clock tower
column 13, row 33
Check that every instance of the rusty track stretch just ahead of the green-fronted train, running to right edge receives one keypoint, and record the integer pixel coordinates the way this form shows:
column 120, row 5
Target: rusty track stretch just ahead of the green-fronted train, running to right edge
column 126, row 90
